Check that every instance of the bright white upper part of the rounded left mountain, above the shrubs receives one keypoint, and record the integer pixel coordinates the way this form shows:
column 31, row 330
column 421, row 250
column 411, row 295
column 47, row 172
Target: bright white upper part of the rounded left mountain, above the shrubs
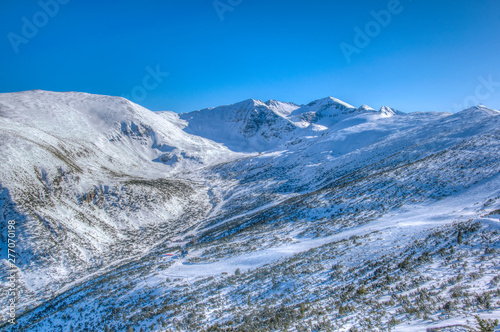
column 110, row 124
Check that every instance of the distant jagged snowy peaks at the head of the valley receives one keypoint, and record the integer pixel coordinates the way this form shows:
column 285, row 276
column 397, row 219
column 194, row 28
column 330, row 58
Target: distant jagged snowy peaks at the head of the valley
column 256, row 126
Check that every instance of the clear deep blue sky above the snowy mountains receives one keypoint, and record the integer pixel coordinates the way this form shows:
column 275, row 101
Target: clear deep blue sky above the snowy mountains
column 430, row 57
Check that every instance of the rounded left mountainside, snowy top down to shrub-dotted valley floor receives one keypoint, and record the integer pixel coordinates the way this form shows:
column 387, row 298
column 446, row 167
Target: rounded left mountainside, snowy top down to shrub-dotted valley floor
column 84, row 176
